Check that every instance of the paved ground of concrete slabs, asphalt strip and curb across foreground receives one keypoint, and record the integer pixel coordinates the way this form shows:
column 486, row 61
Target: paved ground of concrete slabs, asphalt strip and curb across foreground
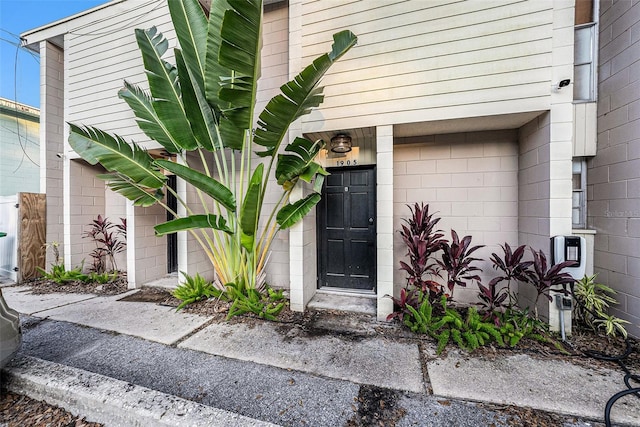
column 164, row 366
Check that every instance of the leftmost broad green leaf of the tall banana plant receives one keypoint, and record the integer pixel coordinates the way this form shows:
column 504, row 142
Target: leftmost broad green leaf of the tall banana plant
column 116, row 155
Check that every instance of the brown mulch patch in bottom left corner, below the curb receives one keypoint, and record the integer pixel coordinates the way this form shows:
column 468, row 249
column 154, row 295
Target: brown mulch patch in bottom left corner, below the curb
column 22, row 411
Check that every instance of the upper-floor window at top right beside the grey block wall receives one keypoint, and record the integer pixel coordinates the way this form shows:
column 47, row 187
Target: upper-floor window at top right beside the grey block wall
column 585, row 47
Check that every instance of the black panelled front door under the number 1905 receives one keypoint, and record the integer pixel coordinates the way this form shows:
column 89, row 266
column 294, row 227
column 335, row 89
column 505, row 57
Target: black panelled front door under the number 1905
column 347, row 230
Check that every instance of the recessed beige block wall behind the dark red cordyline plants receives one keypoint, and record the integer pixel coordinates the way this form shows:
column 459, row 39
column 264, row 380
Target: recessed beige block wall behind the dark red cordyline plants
column 469, row 180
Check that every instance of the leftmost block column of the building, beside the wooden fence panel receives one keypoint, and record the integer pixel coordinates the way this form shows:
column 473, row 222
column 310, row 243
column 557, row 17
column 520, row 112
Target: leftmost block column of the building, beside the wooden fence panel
column 52, row 141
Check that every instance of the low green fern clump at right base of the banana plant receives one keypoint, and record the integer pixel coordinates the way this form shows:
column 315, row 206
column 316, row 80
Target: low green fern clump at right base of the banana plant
column 266, row 306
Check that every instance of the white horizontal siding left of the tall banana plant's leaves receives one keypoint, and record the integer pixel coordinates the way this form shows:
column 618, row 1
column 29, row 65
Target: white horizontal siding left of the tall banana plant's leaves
column 100, row 56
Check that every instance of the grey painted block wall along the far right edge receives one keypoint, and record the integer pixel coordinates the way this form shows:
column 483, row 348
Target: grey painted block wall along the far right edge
column 614, row 174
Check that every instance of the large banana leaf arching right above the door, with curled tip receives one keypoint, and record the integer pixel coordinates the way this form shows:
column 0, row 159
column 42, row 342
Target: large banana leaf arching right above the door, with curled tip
column 299, row 96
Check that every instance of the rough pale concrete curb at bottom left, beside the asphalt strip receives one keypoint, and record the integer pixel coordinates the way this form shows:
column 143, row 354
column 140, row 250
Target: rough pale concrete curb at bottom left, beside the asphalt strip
column 110, row 401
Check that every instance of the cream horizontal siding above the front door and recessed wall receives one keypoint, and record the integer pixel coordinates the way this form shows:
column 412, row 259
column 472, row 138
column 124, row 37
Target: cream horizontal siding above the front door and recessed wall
column 430, row 60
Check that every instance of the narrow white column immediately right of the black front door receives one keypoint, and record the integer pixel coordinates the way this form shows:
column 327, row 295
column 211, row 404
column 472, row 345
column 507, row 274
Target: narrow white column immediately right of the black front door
column 384, row 225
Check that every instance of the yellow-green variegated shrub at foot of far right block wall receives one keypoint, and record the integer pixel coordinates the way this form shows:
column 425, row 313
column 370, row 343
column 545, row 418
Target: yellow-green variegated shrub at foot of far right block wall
column 593, row 300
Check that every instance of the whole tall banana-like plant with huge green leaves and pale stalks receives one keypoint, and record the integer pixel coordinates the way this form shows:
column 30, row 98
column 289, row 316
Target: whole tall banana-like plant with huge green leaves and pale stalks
column 202, row 111
